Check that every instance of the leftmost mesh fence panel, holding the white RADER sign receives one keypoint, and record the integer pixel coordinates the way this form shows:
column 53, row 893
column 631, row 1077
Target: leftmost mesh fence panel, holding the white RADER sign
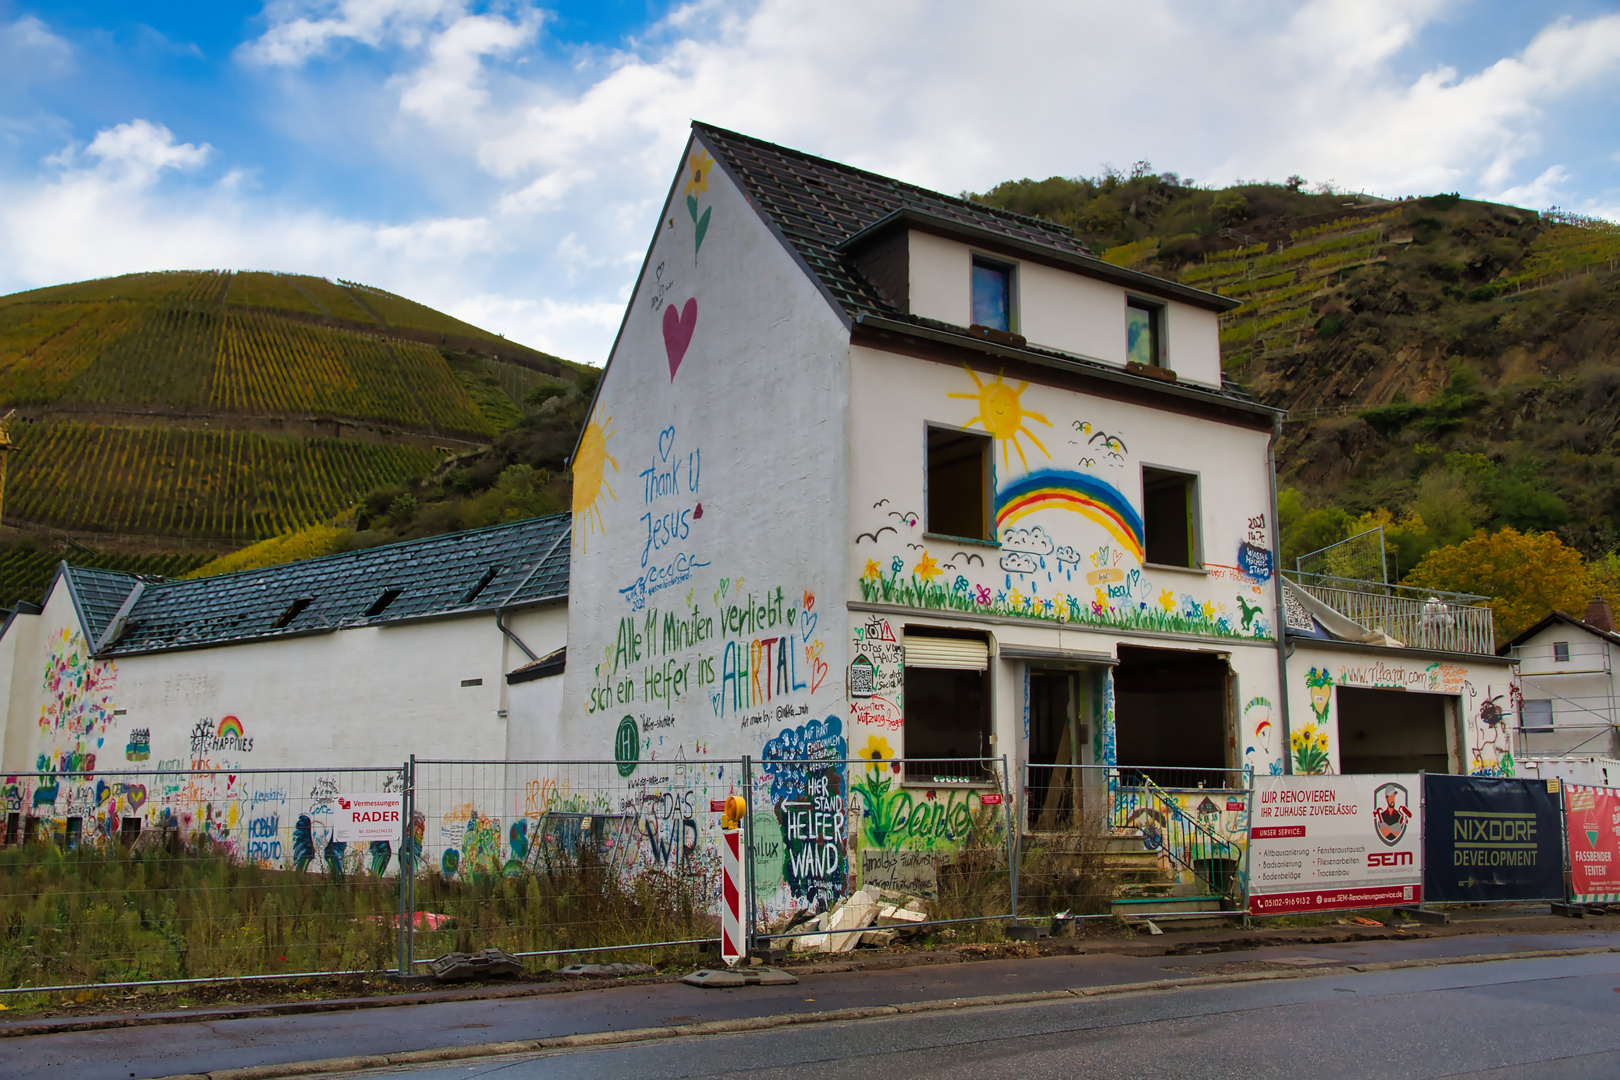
column 190, row 875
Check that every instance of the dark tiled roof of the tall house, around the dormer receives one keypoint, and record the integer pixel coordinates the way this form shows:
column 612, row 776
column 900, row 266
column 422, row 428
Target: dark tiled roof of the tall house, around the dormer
column 817, row 206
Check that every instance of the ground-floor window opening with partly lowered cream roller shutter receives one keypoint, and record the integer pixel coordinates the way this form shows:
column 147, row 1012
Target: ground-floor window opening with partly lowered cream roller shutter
column 947, row 707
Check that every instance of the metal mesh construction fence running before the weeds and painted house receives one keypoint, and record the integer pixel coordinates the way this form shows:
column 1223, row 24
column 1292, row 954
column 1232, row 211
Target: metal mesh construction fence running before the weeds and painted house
column 195, row 875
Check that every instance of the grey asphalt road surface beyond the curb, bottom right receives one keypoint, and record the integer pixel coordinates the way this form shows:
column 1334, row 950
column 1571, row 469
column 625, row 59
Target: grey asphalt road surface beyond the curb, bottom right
column 1553, row 1018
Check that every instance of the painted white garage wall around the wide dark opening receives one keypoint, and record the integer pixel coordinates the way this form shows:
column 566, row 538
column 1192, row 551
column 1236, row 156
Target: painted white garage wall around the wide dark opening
column 1483, row 691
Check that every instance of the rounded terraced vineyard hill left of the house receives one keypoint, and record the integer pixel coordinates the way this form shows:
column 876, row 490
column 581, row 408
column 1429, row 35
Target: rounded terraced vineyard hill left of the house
column 164, row 419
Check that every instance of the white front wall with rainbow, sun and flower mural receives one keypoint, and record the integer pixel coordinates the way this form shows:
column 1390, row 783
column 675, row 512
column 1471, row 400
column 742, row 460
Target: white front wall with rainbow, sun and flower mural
column 1093, row 576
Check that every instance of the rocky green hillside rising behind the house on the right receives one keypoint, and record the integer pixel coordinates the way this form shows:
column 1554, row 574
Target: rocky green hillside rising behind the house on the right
column 1449, row 365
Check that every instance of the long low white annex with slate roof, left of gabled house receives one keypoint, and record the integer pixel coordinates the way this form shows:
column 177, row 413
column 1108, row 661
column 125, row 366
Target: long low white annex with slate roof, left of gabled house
column 448, row 647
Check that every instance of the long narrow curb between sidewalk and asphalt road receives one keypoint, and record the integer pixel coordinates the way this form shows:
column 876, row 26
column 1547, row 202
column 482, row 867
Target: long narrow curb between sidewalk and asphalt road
column 835, row 1016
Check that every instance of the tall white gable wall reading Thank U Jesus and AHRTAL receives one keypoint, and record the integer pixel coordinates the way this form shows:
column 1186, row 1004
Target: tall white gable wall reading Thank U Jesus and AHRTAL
column 706, row 597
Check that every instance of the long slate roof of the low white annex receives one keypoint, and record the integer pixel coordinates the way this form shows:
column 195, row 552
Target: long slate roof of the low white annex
column 480, row 571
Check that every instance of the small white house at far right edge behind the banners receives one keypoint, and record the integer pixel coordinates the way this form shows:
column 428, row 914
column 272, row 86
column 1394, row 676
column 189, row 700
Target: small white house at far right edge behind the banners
column 1567, row 720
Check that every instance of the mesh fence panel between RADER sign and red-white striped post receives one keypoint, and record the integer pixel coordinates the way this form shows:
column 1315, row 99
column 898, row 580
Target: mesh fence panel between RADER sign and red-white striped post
column 558, row 857
